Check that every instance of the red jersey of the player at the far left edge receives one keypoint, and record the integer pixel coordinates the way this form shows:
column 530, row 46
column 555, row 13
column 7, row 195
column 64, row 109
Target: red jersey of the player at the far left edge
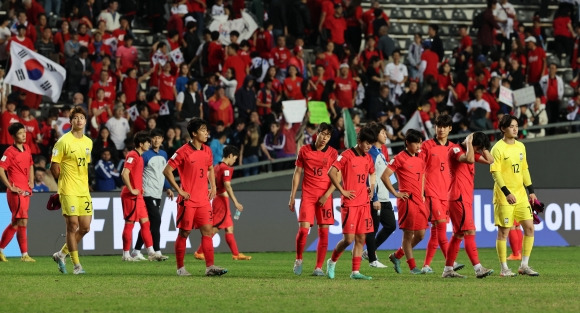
column 17, row 165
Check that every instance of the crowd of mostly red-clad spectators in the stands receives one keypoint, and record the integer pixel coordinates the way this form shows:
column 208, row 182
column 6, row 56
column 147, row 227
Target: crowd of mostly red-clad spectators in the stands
column 356, row 65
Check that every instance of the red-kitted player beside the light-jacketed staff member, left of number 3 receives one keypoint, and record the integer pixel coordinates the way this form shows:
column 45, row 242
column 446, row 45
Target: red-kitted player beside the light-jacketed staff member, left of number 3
column 134, row 208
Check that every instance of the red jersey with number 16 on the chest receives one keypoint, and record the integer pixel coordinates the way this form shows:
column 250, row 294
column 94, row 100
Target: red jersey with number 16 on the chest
column 316, row 165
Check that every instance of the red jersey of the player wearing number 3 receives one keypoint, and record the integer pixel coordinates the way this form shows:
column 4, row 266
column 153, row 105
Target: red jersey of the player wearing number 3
column 192, row 165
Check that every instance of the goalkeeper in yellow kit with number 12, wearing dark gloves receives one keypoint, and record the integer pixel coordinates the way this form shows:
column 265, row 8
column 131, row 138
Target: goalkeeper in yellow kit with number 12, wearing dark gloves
column 510, row 174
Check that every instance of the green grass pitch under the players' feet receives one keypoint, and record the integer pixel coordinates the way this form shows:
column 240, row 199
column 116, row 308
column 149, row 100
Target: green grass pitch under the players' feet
column 267, row 284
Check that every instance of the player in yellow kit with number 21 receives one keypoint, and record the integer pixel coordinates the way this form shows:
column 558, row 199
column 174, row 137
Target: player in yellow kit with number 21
column 71, row 156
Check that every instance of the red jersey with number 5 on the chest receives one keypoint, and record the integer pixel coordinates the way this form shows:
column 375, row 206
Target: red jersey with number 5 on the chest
column 435, row 155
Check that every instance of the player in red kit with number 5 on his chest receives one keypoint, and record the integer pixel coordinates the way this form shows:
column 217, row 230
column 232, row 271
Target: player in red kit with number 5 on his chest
column 434, row 152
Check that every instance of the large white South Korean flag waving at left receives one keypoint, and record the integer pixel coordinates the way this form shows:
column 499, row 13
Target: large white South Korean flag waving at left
column 35, row 72
